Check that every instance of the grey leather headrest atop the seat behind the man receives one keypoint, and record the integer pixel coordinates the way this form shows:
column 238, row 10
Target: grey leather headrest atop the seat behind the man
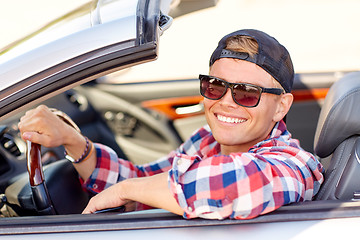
column 340, row 115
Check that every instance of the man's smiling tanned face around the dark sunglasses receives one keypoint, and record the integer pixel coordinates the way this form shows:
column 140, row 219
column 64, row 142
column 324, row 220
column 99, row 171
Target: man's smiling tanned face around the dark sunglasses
column 235, row 127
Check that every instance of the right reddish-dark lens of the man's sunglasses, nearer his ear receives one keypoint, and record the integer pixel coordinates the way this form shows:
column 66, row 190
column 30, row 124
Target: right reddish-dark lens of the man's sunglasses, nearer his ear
column 246, row 95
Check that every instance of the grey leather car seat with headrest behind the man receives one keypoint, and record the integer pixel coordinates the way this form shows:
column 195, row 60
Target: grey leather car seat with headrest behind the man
column 337, row 139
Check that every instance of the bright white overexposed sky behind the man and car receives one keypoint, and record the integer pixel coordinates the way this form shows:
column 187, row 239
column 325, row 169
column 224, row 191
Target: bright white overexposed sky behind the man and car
column 321, row 35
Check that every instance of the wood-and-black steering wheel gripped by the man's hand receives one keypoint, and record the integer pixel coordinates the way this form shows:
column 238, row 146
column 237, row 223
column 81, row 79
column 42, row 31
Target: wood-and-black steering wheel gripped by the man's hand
column 40, row 193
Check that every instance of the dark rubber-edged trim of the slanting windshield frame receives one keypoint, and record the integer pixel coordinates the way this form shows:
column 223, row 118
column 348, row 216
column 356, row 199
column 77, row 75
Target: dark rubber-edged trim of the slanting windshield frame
column 88, row 66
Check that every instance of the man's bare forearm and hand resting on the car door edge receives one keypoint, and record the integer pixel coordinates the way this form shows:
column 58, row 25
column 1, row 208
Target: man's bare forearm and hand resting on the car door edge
column 152, row 191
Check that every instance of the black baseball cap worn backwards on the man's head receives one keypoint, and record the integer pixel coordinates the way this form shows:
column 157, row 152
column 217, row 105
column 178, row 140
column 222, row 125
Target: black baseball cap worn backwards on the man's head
column 272, row 56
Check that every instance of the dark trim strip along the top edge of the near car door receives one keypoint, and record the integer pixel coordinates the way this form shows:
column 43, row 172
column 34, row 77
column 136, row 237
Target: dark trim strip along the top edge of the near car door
column 159, row 219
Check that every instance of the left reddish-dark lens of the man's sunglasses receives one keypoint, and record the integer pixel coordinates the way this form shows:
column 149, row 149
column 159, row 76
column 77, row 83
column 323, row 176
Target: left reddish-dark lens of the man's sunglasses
column 212, row 88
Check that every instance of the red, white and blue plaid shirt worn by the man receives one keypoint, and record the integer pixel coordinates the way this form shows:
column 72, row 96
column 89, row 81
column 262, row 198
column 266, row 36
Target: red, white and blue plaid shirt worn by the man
column 243, row 185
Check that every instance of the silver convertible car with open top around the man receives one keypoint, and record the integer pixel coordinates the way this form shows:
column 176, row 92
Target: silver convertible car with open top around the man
column 83, row 64
